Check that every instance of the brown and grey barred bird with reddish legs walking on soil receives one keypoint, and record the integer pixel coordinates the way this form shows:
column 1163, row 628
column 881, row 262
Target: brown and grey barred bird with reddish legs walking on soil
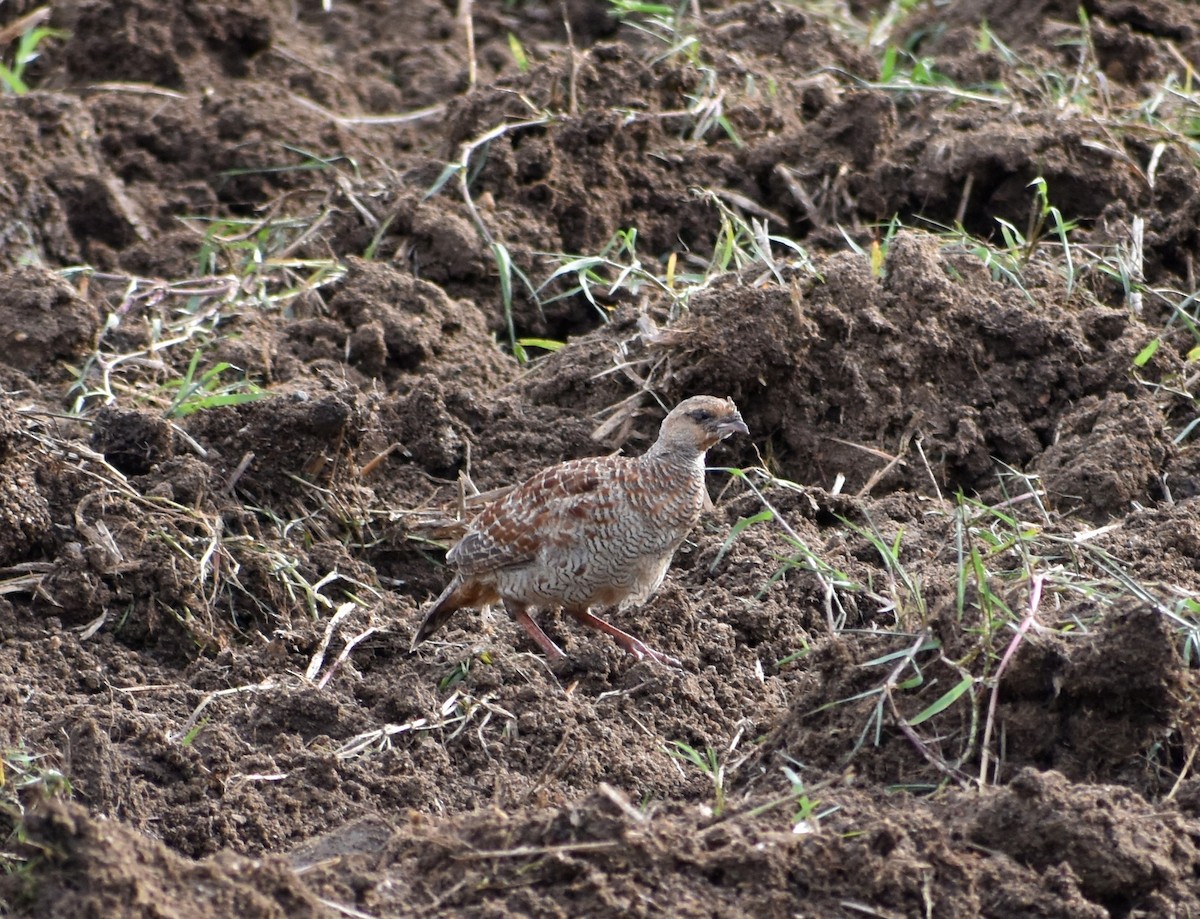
column 598, row 532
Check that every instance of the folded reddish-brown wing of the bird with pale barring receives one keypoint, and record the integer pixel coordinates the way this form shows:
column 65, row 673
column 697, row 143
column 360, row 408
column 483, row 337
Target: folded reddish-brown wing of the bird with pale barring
column 559, row 507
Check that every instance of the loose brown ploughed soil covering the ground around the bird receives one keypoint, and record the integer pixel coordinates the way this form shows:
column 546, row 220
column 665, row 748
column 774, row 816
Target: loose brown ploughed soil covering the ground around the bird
column 239, row 746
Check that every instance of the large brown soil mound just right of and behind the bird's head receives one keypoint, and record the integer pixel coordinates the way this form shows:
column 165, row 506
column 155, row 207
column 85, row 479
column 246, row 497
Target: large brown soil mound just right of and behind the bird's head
column 883, row 359
